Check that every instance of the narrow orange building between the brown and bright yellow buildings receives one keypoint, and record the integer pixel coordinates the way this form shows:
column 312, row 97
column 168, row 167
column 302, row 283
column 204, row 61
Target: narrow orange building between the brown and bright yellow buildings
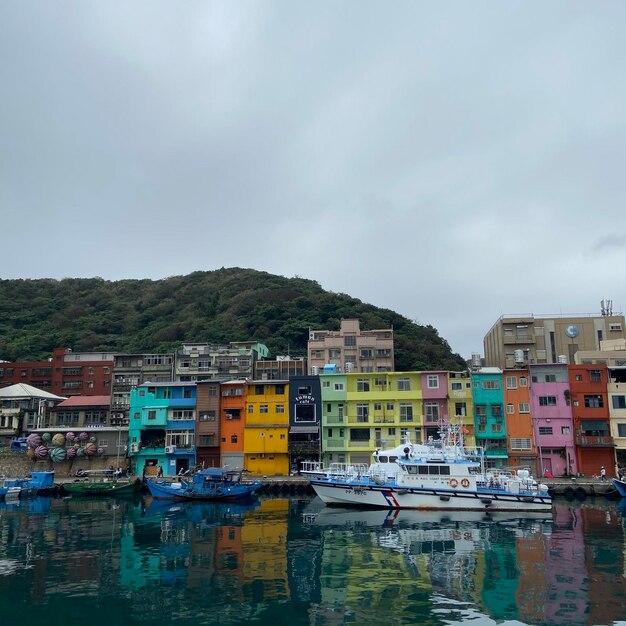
column 232, row 423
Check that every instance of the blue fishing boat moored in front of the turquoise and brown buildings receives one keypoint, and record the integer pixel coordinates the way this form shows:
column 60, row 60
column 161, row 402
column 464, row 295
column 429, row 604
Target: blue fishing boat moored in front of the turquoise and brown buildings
column 207, row 484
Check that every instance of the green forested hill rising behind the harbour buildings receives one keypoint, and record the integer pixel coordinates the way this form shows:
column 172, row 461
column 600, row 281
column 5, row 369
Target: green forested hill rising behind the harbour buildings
column 92, row 314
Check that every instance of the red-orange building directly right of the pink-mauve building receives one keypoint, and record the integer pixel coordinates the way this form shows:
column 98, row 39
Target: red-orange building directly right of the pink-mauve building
column 590, row 411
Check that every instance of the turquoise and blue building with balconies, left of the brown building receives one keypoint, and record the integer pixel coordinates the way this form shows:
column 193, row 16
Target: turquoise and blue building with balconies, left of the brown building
column 162, row 428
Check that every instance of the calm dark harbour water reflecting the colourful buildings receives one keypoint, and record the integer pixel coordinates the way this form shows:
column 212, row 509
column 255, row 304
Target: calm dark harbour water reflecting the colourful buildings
column 294, row 561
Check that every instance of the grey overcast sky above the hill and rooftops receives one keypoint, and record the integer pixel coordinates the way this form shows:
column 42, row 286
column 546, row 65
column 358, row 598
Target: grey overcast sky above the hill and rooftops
column 453, row 161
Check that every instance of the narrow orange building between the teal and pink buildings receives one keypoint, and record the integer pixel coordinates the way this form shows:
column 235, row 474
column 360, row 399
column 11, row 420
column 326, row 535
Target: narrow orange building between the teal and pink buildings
column 519, row 425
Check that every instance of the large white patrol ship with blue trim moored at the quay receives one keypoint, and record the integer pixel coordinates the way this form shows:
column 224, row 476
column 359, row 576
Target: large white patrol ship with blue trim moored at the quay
column 438, row 475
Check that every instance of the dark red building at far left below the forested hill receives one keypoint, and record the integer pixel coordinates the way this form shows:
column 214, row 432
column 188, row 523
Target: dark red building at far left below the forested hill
column 67, row 373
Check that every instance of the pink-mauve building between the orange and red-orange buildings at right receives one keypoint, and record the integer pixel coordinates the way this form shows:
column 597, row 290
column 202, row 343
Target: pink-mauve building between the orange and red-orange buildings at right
column 551, row 413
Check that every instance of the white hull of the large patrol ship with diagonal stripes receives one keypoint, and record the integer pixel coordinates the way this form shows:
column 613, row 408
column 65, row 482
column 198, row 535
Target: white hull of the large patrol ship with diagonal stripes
column 394, row 497
